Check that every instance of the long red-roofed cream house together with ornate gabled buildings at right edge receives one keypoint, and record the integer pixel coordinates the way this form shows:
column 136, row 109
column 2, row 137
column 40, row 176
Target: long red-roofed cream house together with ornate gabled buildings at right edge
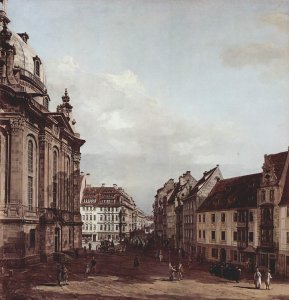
column 245, row 219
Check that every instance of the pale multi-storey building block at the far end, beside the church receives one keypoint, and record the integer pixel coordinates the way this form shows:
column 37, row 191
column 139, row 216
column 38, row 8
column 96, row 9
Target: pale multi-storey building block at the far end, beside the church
column 108, row 213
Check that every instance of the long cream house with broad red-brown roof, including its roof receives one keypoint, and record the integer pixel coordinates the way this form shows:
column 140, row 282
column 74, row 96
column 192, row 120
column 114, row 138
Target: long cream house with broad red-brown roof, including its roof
column 227, row 221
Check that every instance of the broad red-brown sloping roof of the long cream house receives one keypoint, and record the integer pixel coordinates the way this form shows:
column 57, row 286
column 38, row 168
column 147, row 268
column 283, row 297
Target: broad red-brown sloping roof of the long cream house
column 237, row 192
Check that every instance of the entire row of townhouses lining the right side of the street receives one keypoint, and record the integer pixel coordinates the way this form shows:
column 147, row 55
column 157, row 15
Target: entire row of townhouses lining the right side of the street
column 243, row 219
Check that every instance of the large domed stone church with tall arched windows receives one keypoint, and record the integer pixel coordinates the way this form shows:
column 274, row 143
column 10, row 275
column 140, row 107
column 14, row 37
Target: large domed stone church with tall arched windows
column 39, row 158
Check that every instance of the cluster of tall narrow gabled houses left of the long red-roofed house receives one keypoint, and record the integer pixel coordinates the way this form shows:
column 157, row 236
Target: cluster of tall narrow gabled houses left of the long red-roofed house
column 175, row 208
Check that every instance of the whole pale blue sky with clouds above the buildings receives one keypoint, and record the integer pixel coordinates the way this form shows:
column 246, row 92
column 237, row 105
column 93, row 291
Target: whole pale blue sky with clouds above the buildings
column 163, row 87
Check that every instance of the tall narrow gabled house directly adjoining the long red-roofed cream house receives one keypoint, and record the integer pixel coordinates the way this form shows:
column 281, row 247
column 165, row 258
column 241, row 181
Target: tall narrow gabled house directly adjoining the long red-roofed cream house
column 194, row 199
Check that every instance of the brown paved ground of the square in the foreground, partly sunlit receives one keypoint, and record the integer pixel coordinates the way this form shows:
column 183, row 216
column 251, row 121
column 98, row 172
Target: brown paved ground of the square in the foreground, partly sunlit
column 116, row 278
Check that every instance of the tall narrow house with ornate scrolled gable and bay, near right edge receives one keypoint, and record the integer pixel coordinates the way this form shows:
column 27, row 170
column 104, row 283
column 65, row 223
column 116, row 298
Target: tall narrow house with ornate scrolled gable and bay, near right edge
column 272, row 213
